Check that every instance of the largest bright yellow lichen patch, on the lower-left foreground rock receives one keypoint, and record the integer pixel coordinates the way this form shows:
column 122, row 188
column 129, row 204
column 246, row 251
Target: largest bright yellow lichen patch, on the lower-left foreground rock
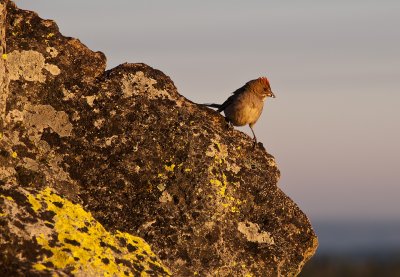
column 84, row 245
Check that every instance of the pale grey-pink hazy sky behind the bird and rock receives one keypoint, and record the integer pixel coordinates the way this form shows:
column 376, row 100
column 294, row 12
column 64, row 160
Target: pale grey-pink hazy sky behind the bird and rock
column 334, row 128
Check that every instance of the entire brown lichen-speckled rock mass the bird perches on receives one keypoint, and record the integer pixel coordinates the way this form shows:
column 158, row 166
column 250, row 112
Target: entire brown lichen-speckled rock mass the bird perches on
column 95, row 163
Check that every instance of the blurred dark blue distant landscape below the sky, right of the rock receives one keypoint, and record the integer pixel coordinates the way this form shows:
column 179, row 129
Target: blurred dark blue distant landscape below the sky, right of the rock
column 356, row 248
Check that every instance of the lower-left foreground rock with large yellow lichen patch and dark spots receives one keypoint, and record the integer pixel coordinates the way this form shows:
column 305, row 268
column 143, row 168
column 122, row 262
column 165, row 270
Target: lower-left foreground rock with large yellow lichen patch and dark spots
column 53, row 235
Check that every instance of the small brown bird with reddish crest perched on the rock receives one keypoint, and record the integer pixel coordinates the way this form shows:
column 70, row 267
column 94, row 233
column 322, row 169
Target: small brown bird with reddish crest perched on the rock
column 245, row 105
